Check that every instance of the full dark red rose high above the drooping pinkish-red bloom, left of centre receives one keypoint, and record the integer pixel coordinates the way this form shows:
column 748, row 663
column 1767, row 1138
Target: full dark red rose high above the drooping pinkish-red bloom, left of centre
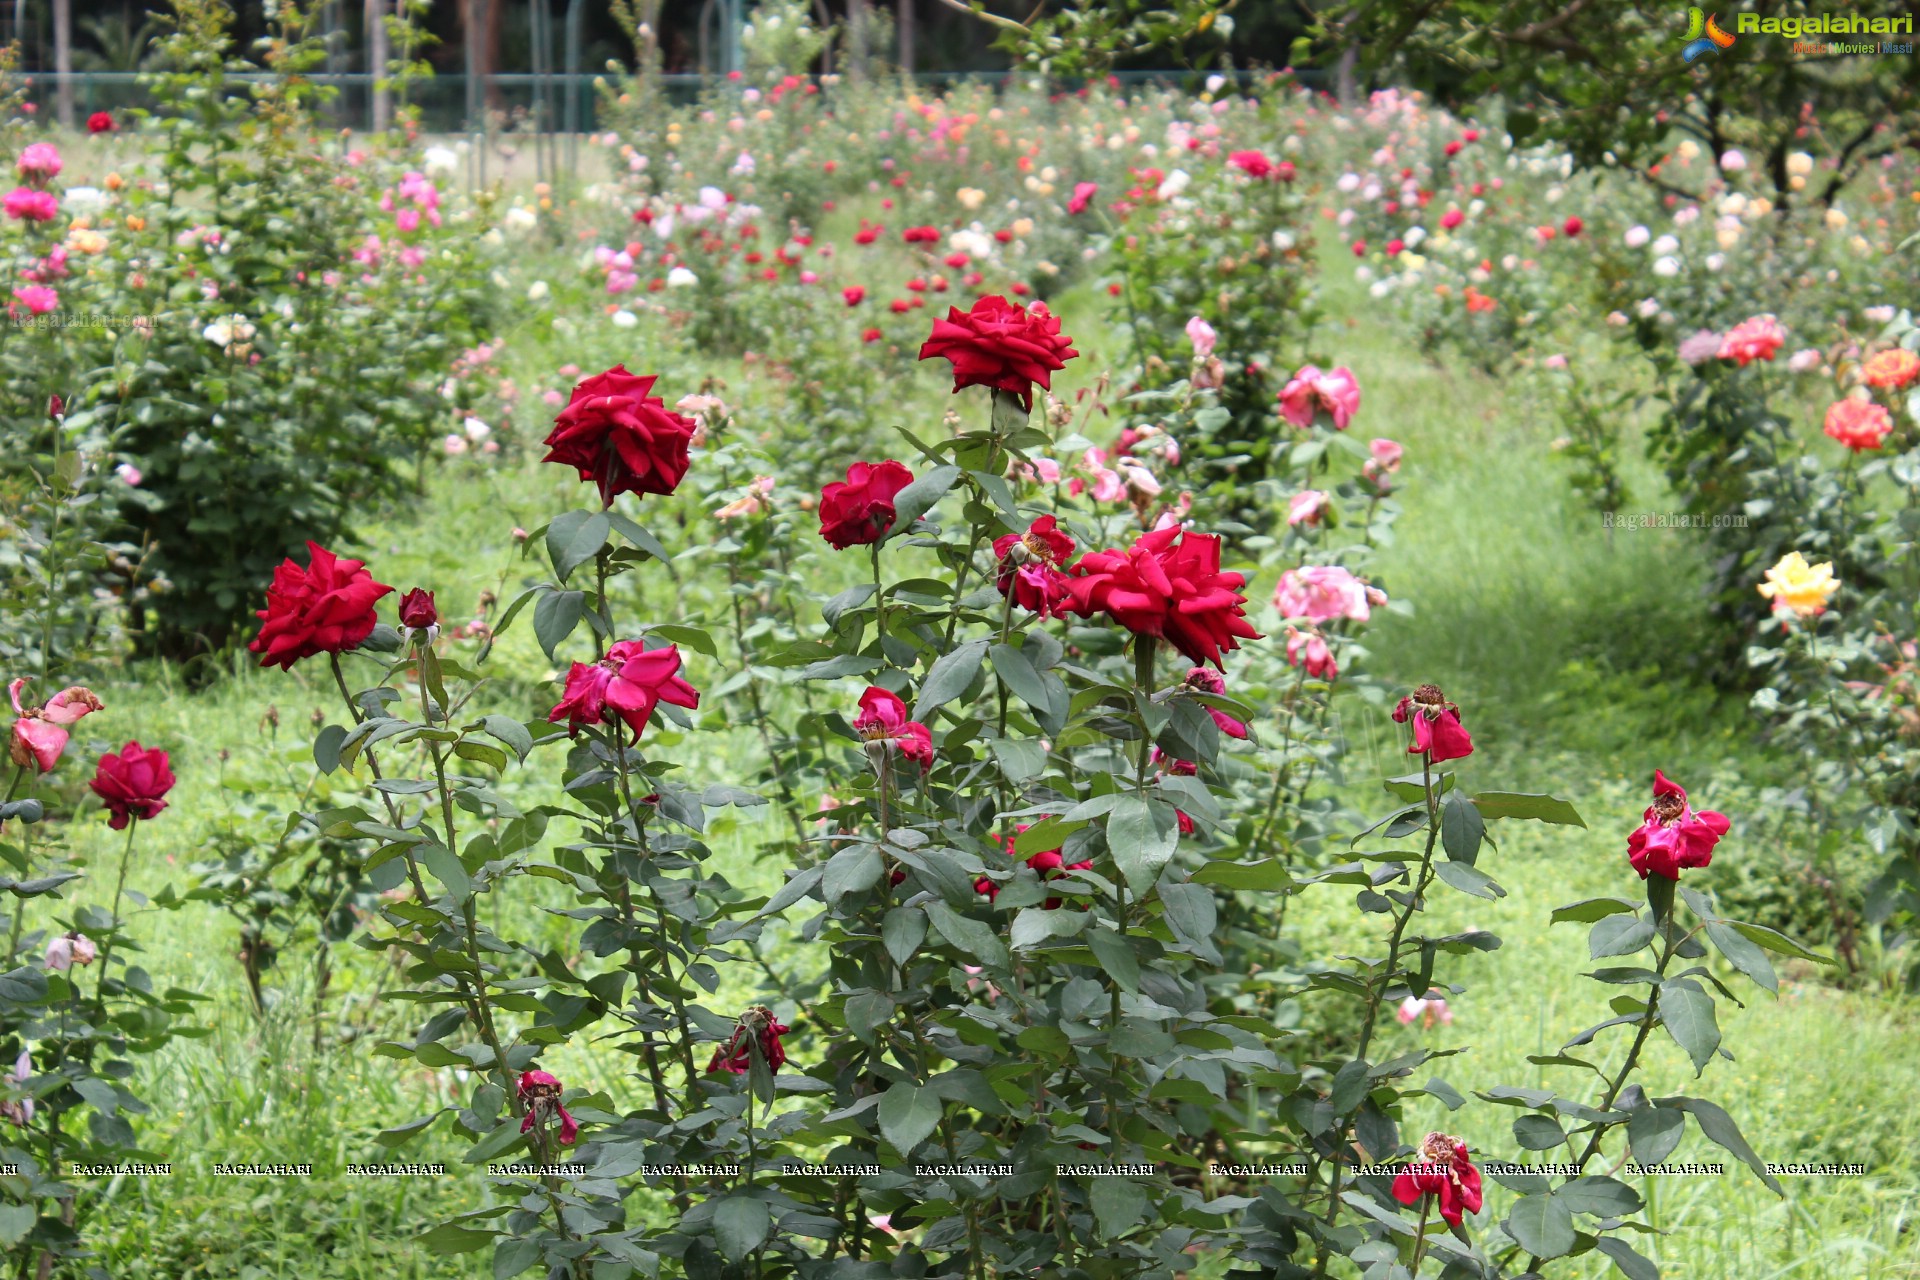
column 621, row 439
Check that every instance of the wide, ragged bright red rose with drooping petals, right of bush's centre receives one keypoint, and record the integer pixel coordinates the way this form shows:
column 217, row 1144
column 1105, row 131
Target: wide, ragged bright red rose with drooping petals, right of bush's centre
column 1168, row 584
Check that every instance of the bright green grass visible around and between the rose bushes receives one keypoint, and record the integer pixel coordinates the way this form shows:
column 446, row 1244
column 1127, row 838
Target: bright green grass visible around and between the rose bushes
column 1548, row 634
